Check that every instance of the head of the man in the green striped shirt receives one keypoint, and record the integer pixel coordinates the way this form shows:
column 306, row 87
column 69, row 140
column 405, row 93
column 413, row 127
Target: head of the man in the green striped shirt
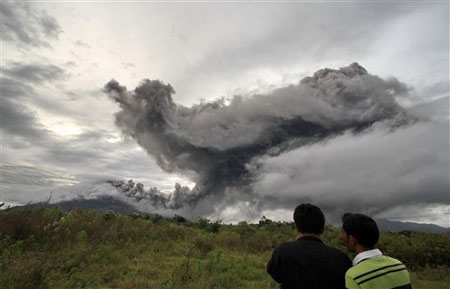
column 359, row 232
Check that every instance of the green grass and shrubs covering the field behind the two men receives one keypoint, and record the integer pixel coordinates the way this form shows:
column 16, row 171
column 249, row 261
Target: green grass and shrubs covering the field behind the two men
column 51, row 248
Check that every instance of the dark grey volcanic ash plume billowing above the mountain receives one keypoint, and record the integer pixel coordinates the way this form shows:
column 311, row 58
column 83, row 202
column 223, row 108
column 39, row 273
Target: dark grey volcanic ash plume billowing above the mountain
column 214, row 143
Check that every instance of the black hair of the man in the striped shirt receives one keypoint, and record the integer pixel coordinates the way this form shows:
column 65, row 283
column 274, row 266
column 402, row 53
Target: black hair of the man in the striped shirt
column 362, row 227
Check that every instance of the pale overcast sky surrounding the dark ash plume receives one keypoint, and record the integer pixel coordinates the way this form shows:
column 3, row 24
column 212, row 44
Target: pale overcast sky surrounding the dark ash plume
column 58, row 125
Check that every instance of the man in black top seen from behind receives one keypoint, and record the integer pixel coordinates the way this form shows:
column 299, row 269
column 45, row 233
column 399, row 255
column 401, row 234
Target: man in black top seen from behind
column 308, row 263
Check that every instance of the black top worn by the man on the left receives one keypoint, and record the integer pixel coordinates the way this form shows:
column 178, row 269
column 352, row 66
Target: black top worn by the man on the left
column 308, row 264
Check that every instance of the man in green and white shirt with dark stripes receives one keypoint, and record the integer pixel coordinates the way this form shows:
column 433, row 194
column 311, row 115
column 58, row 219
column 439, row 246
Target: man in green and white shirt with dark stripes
column 371, row 269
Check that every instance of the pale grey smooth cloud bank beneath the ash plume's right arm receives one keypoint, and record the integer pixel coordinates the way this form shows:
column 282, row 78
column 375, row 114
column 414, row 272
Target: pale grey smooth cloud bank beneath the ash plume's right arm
column 370, row 172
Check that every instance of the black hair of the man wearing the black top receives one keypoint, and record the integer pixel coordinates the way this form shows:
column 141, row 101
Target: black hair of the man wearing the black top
column 309, row 219
